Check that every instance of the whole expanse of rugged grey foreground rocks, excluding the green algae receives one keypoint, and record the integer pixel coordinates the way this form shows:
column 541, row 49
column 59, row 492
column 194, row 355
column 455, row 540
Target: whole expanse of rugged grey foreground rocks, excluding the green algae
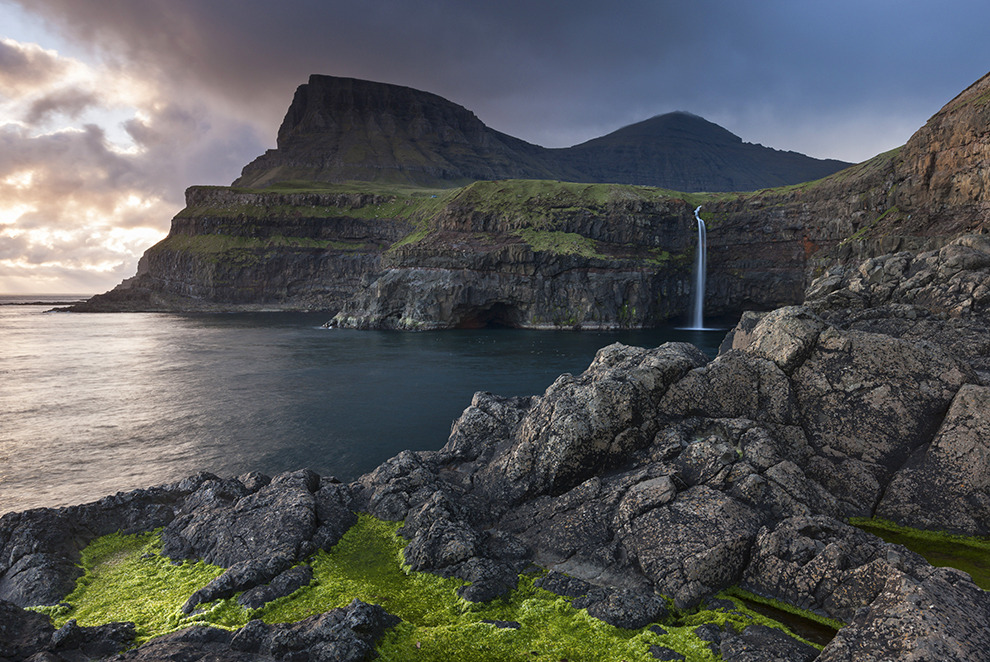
column 654, row 473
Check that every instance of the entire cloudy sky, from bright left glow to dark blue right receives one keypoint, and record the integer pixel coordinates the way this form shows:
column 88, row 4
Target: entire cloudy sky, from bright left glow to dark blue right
column 110, row 109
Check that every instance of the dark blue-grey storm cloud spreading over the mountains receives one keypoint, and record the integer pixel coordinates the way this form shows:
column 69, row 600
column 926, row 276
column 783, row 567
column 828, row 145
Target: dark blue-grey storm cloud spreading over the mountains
column 559, row 71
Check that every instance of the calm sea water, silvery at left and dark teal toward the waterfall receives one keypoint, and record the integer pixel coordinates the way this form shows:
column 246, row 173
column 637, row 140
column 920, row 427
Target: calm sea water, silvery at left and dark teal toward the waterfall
column 93, row 404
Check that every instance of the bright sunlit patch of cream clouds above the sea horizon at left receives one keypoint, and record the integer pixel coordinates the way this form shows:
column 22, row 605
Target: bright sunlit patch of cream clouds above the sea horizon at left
column 93, row 162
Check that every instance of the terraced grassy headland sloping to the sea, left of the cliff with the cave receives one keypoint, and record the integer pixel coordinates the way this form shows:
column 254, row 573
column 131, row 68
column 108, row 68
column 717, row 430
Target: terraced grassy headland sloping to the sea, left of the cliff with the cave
column 233, row 250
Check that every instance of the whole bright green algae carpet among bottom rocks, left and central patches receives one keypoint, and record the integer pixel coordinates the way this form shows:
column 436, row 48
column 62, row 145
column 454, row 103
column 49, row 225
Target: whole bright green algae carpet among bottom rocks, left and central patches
column 127, row 579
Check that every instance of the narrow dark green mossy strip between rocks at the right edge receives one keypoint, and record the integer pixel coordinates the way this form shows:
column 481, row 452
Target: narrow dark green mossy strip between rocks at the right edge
column 971, row 555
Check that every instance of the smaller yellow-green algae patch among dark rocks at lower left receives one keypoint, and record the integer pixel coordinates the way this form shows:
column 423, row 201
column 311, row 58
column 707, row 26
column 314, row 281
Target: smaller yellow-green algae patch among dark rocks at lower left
column 127, row 579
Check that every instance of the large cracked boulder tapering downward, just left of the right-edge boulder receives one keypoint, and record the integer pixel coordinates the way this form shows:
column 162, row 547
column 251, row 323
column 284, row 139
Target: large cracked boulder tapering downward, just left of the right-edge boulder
column 867, row 402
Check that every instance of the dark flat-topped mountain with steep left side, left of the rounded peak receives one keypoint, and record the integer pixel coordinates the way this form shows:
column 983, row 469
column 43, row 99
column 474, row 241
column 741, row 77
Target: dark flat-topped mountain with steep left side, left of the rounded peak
column 340, row 129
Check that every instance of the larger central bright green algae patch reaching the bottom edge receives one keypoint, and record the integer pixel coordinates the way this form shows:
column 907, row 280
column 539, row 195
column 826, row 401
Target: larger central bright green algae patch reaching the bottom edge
column 367, row 564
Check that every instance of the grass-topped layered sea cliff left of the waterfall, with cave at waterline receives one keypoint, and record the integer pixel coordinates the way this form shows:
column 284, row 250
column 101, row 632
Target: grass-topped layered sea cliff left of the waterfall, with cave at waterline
column 517, row 253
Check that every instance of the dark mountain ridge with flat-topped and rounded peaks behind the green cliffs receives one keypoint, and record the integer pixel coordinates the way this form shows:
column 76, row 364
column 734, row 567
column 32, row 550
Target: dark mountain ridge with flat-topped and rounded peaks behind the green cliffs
column 340, row 129
